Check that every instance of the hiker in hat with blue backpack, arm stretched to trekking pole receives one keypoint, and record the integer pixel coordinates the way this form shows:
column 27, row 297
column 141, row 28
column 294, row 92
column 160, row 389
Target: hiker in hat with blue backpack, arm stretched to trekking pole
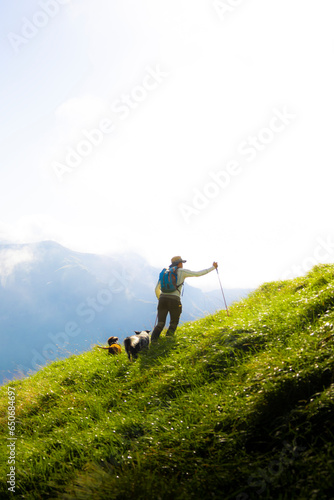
column 170, row 301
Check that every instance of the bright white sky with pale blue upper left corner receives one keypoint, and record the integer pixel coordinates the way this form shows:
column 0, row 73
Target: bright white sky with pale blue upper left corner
column 194, row 127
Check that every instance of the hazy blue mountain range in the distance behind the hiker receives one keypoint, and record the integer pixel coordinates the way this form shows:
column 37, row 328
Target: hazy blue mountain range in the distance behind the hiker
column 54, row 302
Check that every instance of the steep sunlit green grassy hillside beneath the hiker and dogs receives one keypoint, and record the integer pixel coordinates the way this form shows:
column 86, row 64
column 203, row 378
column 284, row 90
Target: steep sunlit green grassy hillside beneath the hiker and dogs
column 237, row 407
